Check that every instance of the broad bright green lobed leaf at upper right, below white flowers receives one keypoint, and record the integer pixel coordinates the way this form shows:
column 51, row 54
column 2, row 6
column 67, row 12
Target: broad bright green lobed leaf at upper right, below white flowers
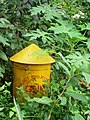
column 68, row 29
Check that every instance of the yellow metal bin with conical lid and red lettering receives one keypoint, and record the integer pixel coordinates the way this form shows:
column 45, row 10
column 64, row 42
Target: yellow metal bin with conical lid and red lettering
column 31, row 70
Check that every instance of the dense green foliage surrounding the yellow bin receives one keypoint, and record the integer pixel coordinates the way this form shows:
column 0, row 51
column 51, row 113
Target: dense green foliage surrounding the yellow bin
column 62, row 28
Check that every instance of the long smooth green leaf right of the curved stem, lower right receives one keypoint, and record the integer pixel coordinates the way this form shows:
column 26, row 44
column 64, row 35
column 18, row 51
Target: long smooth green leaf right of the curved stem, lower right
column 77, row 96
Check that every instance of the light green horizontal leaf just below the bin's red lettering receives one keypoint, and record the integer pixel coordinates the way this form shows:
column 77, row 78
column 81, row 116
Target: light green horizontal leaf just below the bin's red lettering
column 43, row 100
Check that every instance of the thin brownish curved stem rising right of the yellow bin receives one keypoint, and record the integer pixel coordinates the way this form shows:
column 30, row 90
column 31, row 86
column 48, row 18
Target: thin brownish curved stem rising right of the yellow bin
column 58, row 98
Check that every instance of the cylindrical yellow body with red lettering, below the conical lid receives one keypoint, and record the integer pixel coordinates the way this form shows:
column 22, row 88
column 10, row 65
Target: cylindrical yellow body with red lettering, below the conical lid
column 33, row 78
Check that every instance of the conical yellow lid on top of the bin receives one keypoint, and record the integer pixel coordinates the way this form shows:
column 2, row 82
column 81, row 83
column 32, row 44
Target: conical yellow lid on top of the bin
column 32, row 55
